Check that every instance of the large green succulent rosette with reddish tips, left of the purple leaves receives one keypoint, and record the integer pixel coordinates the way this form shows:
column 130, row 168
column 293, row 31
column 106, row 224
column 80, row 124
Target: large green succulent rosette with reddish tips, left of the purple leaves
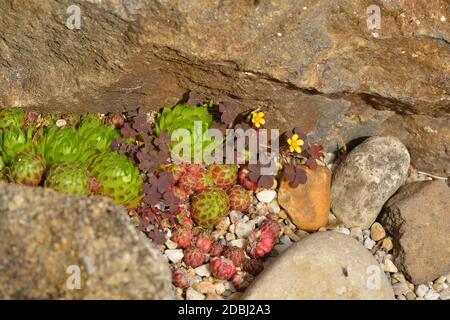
column 118, row 177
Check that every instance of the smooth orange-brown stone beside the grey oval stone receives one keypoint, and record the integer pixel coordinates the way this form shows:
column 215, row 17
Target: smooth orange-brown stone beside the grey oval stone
column 308, row 205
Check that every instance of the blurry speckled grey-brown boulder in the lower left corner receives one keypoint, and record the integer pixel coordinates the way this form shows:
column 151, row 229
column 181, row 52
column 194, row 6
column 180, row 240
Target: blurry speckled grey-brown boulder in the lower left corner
column 45, row 235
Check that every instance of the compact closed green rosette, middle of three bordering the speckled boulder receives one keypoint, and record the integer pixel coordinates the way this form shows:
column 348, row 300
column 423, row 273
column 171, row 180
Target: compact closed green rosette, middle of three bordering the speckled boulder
column 70, row 178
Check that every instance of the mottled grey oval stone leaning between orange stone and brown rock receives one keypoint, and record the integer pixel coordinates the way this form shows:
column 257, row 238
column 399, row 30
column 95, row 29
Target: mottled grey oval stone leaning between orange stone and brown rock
column 369, row 175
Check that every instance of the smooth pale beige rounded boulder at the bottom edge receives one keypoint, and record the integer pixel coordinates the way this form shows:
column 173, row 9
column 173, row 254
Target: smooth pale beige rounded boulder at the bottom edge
column 324, row 265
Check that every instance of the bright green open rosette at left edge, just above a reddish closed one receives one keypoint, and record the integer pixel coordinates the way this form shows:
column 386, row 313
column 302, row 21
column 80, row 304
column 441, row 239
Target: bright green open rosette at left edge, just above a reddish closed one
column 15, row 140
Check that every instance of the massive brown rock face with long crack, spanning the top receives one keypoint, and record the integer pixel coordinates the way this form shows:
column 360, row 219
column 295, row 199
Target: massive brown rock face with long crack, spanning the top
column 312, row 61
